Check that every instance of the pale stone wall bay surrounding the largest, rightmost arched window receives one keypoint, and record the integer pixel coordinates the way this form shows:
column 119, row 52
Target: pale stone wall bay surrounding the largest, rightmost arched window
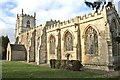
column 101, row 56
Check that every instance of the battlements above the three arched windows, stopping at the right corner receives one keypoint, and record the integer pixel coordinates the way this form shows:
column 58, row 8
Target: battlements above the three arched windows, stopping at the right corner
column 72, row 21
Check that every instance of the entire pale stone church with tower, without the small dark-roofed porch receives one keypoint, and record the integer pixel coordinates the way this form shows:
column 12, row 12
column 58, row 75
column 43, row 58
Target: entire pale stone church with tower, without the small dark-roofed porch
column 89, row 38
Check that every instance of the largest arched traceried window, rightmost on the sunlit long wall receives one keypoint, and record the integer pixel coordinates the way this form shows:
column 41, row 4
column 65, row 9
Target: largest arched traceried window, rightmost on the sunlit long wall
column 91, row 41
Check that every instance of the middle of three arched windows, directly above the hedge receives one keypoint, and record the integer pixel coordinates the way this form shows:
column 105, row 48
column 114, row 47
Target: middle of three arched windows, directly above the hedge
column 68, row 42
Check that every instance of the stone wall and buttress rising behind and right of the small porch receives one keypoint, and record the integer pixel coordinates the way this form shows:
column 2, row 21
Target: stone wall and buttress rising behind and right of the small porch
column 28, row 39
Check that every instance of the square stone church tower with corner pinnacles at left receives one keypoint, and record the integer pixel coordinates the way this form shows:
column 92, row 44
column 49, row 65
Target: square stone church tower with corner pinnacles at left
column 24, row 23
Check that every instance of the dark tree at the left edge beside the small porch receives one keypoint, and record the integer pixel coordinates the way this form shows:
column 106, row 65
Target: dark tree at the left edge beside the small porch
column 5, row 41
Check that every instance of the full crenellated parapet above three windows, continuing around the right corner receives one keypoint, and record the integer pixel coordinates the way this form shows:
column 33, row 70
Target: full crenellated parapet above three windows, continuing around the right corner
column 78, row 19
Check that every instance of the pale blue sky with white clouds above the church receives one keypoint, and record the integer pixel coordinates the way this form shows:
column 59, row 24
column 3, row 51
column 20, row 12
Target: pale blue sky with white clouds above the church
column 45, row 10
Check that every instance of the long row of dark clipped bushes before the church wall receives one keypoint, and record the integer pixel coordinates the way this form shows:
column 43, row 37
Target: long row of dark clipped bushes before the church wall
column 74, row 65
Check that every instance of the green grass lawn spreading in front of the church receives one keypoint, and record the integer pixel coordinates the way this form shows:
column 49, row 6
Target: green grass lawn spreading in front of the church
column 24, row 70
